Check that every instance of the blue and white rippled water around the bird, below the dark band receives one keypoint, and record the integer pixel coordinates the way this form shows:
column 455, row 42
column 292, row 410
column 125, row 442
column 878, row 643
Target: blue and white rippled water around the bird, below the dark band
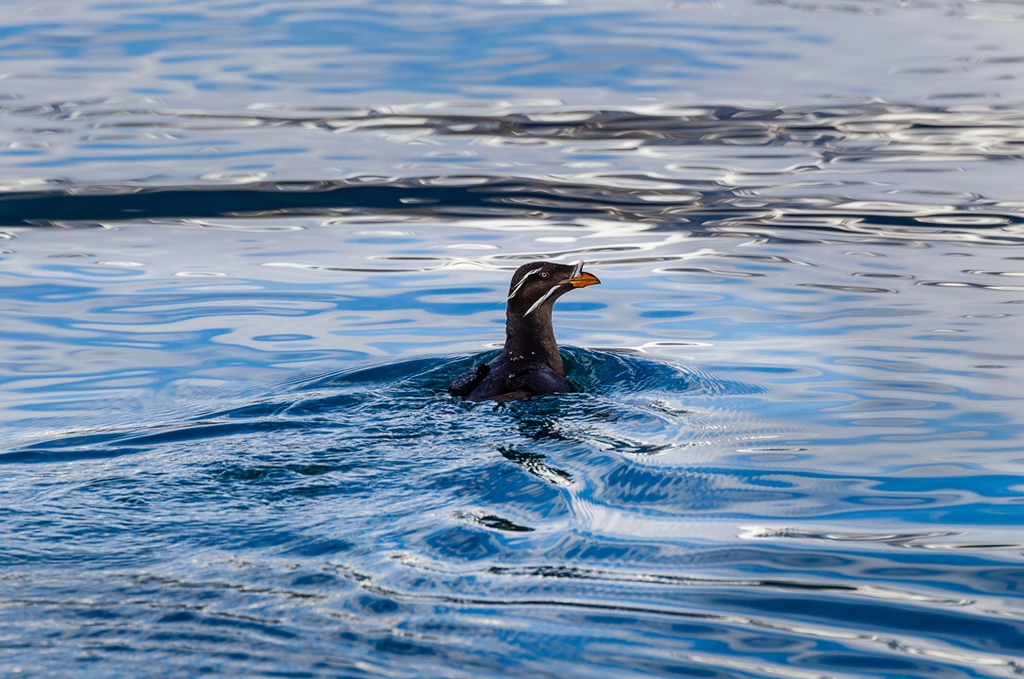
column 798, row 451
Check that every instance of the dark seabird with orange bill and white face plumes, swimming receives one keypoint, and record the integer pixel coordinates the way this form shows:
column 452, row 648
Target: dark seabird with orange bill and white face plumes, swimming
column 530, row 365
